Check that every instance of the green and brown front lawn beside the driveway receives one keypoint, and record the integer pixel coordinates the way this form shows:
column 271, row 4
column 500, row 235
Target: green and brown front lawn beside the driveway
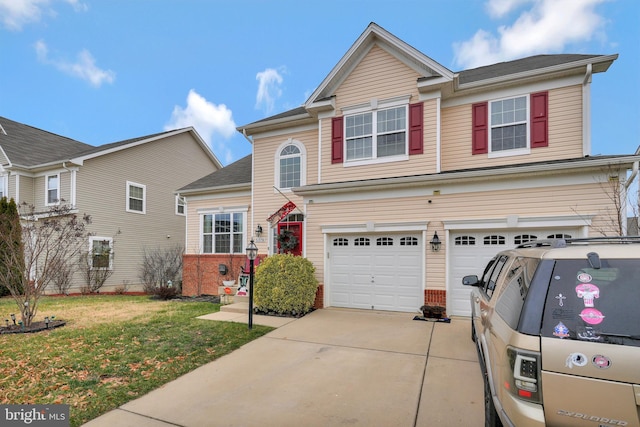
column 112, row 350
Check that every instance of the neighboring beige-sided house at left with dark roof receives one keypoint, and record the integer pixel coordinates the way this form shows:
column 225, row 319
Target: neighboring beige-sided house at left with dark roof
column 126, row 187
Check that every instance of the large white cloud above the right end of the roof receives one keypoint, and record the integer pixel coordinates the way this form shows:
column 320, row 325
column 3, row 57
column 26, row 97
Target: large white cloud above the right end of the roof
column 546, row 26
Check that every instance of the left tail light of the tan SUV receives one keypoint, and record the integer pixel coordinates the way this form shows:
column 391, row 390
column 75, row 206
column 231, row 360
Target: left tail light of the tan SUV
column 523, row 378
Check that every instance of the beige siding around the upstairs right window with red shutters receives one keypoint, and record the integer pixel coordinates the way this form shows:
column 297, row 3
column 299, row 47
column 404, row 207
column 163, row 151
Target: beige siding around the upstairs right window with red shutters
column 565, row 134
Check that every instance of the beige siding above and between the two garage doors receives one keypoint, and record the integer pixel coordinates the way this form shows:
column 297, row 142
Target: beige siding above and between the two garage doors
column 587, row 199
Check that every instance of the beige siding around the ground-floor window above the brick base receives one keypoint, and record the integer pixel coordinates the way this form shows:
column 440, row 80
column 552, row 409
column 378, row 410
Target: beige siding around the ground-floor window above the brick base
column 194, row 218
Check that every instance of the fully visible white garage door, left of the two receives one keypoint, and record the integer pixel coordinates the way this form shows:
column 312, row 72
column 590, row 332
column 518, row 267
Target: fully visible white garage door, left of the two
column 376, row 272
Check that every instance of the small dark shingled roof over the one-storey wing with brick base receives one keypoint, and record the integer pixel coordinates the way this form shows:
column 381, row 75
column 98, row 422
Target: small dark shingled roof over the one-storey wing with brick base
column 236, row 175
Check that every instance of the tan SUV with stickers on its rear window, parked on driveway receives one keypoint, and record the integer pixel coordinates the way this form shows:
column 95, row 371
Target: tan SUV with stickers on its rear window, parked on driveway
column 557, row 329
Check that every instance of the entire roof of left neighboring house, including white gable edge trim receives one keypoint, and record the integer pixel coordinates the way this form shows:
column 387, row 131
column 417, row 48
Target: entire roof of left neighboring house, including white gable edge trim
column 28, row 147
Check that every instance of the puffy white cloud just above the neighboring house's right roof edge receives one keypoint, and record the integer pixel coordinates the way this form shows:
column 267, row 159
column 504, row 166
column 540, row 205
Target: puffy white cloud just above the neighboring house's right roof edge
column 209, row 120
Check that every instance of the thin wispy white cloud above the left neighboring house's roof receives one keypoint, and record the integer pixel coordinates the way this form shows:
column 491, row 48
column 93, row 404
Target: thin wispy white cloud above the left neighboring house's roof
column 84, row 67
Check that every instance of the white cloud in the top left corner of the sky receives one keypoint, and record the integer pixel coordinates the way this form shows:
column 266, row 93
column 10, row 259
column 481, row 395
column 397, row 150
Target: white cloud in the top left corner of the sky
column 14, row 14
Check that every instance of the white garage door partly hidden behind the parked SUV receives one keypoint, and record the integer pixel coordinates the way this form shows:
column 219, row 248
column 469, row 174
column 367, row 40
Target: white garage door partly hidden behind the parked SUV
column 471, row 251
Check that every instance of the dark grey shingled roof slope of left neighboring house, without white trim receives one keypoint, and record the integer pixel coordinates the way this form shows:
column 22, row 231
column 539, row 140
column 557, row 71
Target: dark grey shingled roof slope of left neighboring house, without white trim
column 27, row 146
